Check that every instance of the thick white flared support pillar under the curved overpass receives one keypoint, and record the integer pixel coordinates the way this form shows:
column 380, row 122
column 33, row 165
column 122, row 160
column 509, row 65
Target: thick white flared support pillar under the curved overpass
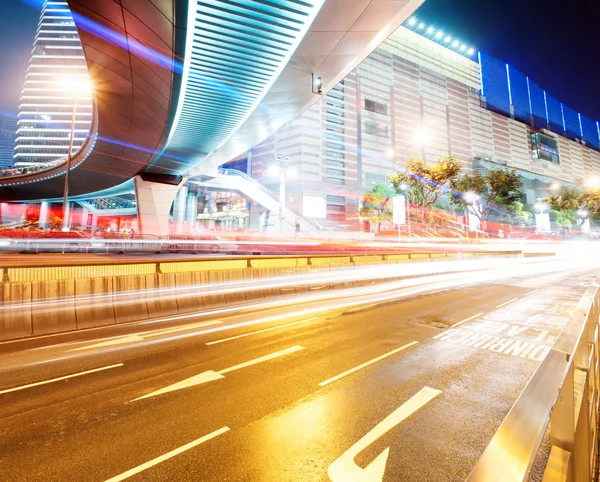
column 154, row 201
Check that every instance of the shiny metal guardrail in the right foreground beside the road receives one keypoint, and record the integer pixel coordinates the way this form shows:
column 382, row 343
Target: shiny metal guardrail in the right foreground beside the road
column 560, row 400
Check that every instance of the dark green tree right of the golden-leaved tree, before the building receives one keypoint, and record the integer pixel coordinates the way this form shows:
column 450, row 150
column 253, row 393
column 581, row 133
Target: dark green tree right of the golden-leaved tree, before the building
column 497, row 189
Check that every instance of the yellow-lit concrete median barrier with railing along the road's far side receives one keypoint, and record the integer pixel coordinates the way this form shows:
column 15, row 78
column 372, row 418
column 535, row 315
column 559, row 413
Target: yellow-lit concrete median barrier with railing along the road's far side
column 105, row 293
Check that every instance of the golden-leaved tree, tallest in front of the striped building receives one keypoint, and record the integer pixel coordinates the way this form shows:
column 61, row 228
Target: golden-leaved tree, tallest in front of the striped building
column 424, row 183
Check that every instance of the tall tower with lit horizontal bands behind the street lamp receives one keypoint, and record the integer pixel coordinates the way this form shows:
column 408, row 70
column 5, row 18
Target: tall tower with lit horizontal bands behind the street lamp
column 46, row 109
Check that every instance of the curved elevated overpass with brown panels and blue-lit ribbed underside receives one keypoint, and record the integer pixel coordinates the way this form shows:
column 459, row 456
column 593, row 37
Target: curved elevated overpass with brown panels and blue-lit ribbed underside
column 183, row 86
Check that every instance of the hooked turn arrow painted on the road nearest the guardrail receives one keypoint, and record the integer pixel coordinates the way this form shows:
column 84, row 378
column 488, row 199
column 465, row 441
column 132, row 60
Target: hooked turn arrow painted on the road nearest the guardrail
column 344, row 469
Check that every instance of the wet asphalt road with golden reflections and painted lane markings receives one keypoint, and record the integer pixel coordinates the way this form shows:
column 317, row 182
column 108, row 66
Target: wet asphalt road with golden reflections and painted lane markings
column 408, row 385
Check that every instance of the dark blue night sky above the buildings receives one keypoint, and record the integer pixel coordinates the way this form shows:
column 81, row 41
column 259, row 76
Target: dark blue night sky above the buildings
column 555, row 42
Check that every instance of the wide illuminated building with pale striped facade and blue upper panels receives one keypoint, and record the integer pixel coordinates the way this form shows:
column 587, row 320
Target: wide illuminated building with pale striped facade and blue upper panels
column 425, row 81
